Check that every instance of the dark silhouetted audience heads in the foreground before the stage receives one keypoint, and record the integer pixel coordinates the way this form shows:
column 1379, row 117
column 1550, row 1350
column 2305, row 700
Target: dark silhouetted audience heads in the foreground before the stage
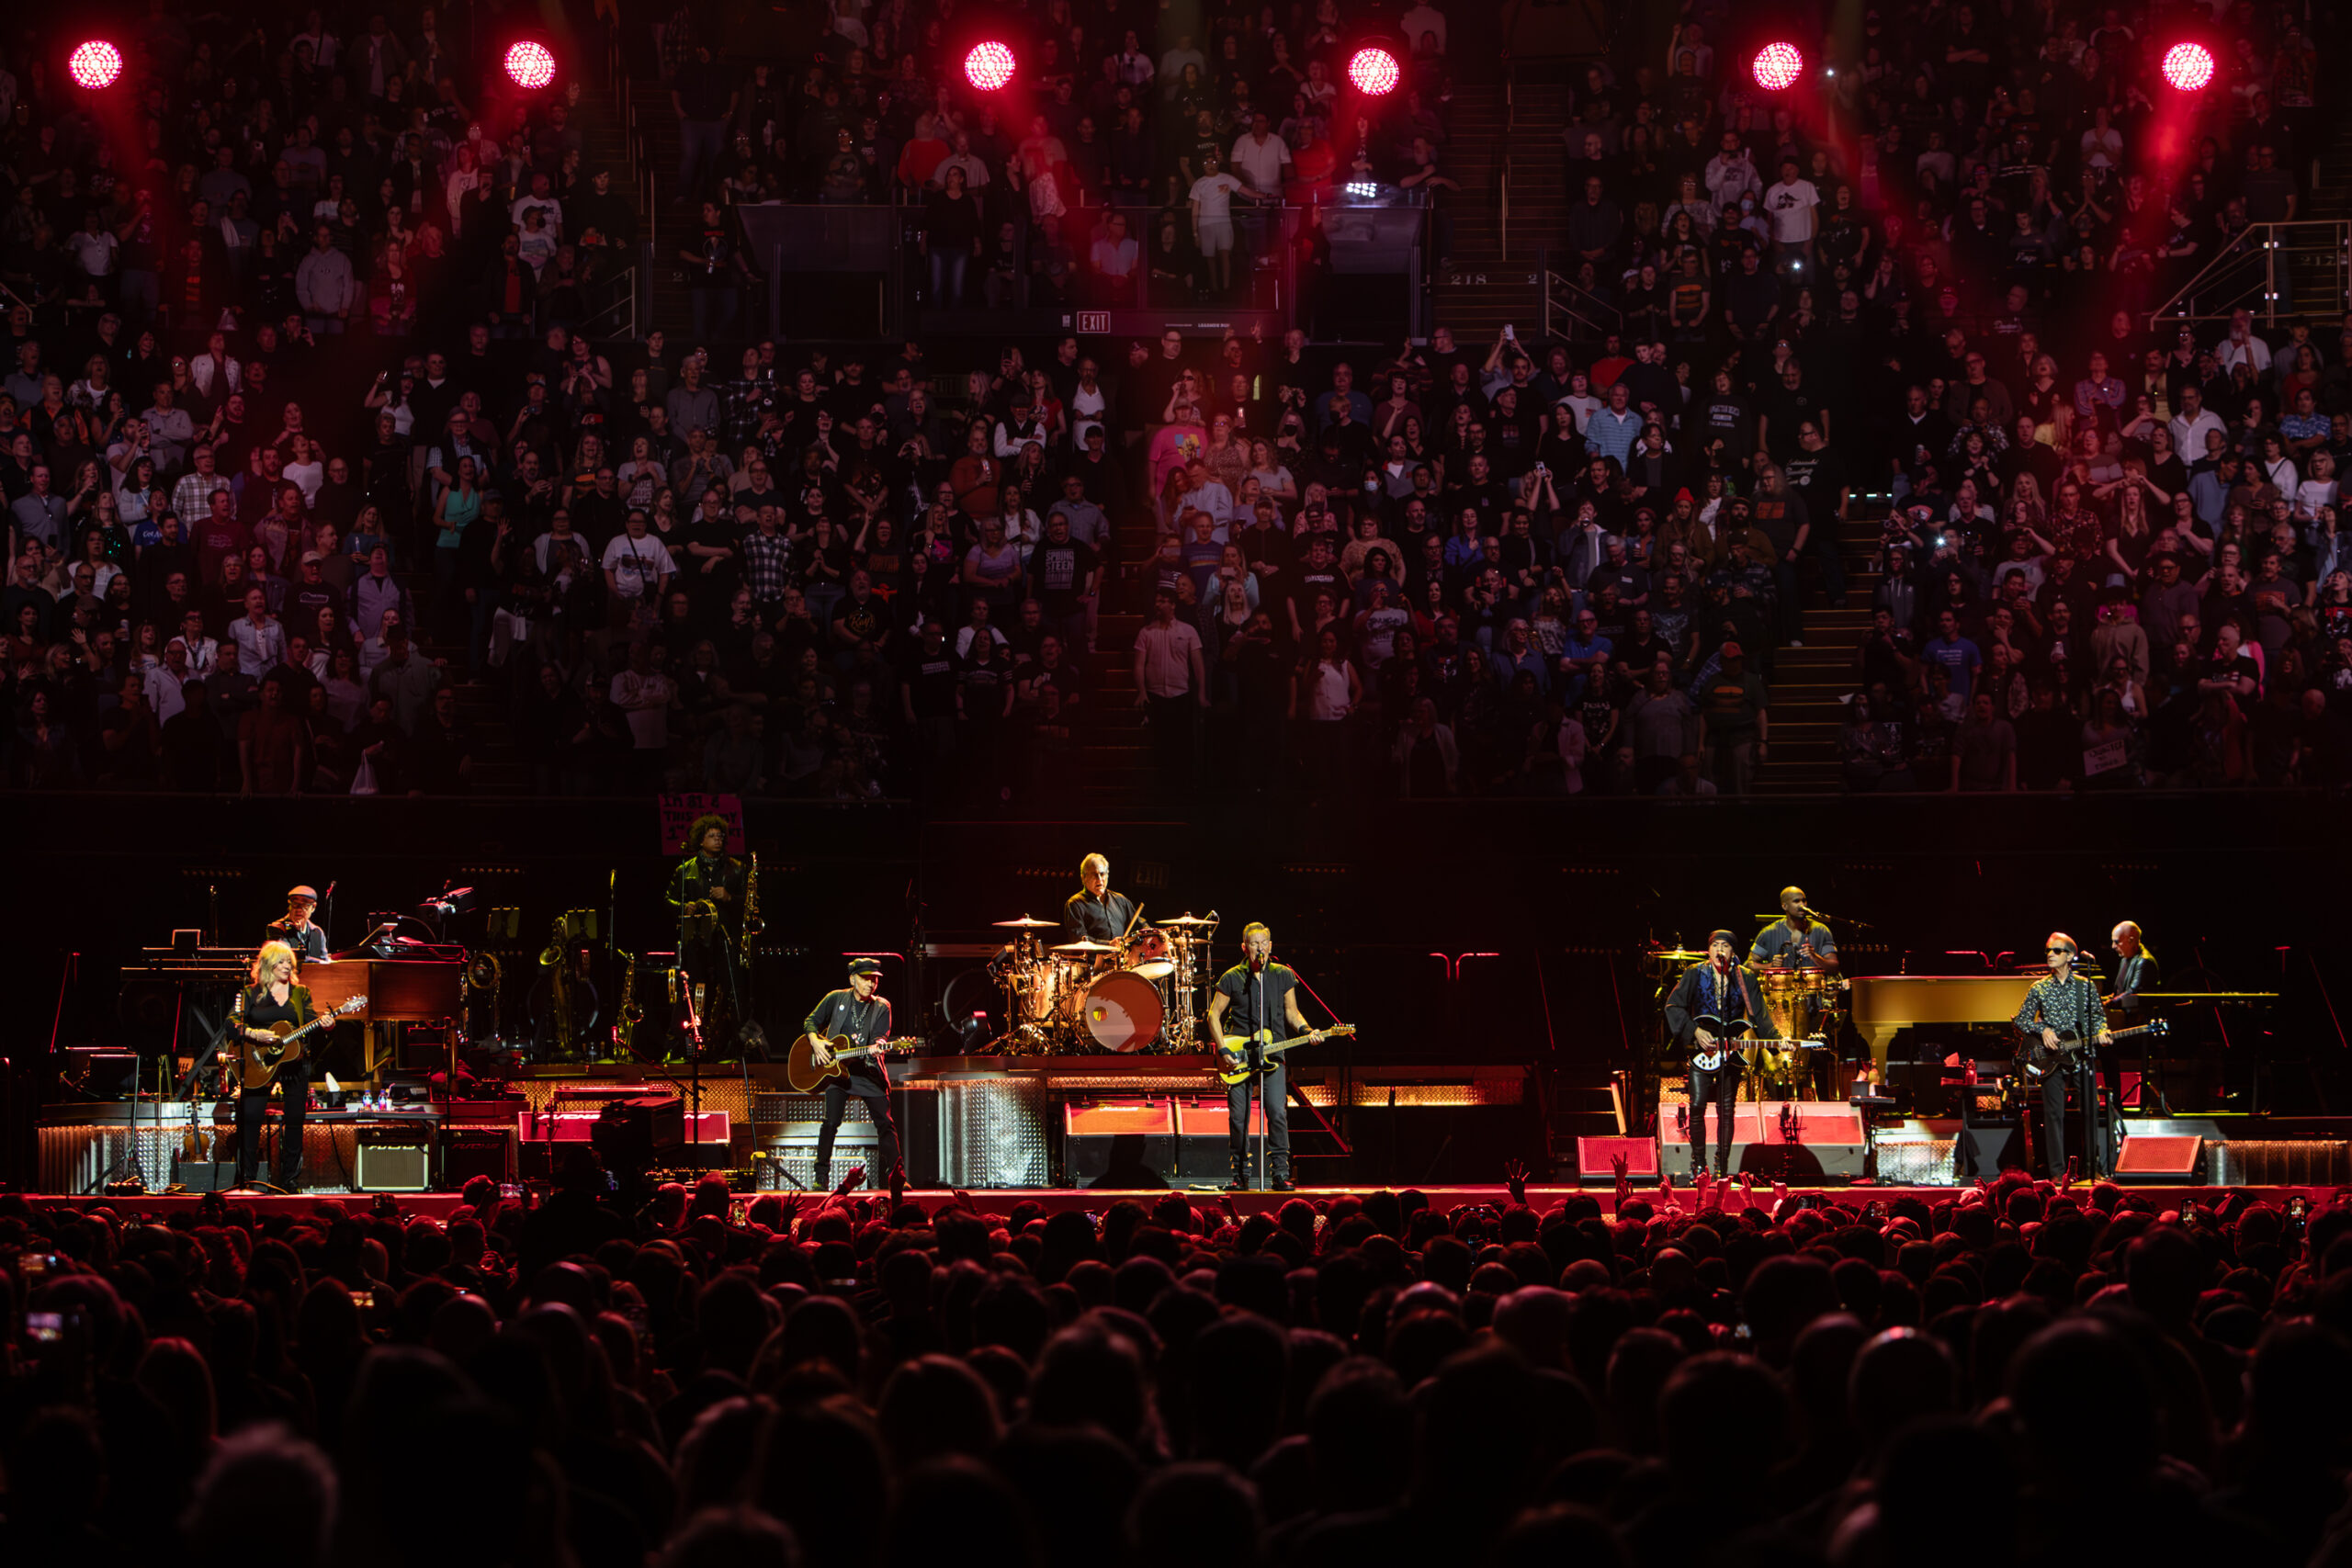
column 2012, row 1374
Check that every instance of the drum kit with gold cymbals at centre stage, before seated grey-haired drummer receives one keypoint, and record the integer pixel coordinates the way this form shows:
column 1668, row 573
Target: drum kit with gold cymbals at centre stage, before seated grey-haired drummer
column 1144, row 993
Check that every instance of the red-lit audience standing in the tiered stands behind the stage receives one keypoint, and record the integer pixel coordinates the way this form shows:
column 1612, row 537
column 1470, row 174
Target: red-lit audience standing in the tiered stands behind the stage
column 323, row 478
